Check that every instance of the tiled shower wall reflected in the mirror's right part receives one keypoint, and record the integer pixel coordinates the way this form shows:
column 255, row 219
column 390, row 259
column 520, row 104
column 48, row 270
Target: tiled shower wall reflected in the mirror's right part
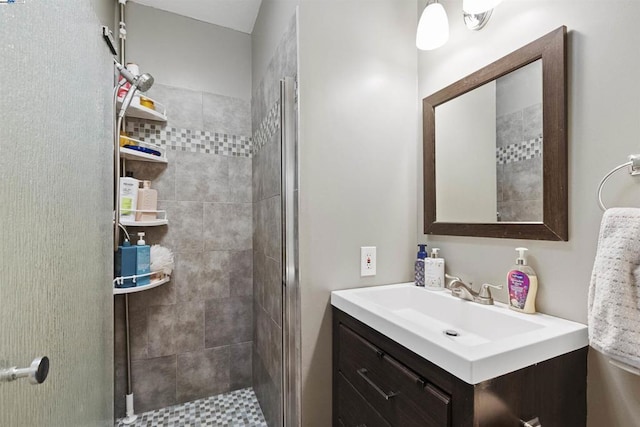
column 519, row 164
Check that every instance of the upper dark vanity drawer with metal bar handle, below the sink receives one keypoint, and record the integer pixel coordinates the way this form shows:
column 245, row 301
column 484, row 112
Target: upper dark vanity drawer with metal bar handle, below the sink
column 400, row 395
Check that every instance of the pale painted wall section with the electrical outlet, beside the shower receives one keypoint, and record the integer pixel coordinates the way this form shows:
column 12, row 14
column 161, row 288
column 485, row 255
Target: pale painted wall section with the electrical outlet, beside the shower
column 358, row 125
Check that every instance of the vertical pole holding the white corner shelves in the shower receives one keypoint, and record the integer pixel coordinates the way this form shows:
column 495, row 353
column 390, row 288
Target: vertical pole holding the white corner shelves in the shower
column 130, row 416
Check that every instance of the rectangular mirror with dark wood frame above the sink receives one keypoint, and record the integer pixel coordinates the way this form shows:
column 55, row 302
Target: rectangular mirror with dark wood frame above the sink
column 495, row 148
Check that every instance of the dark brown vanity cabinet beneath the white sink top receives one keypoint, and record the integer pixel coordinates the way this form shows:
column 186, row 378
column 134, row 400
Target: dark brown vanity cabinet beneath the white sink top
column 378, row 382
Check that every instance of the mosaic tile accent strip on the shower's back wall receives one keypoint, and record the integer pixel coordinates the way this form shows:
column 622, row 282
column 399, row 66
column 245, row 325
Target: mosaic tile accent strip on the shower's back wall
column 194, row 141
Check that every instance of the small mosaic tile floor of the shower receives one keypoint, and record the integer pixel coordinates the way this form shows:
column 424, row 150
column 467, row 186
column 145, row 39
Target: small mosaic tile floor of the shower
column 238, row 408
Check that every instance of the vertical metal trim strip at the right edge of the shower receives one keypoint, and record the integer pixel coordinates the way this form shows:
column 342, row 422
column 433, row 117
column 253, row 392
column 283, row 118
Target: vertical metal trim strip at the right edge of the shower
column 290, row 396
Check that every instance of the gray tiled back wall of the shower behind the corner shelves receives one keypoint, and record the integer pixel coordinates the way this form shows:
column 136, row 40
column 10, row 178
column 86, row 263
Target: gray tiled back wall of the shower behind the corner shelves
column 192, row 337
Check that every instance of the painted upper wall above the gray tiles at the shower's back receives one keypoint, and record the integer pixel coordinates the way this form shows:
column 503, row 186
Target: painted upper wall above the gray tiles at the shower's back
column 189, row 54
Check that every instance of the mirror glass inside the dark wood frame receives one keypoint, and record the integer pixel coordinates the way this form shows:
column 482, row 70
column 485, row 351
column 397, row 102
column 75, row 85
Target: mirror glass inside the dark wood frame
column 488, row 151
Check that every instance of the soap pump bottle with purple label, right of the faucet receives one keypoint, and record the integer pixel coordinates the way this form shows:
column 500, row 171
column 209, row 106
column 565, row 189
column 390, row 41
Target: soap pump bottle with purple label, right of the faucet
column 523, row 285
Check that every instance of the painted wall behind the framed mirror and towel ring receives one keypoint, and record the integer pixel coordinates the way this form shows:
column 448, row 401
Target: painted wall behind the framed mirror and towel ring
column 604, row 103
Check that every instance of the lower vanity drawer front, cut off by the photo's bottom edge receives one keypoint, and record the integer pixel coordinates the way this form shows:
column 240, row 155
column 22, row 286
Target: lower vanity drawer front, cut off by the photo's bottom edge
column 353, row 410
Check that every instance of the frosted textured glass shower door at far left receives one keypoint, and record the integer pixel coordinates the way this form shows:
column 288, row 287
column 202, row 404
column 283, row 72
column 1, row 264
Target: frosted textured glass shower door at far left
column 56, row 211
